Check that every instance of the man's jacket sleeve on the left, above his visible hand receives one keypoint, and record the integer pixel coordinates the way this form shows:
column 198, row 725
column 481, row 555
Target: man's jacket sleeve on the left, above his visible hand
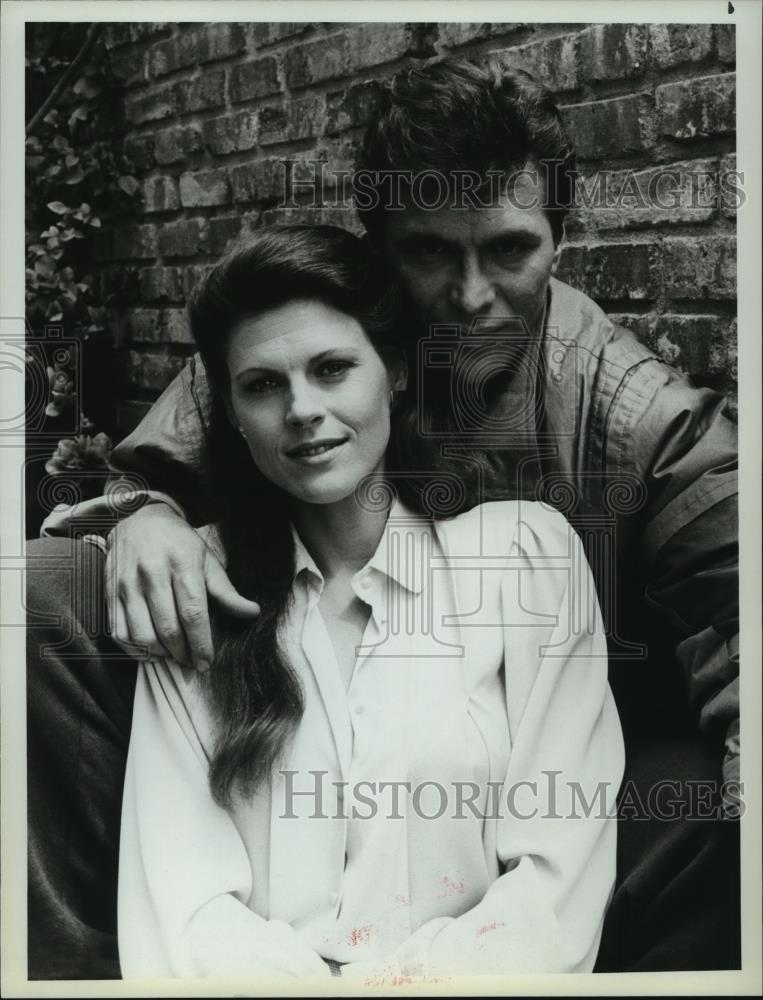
column 161, row 460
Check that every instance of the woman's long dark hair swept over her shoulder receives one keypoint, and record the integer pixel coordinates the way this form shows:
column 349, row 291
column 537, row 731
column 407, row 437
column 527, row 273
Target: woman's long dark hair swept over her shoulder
column 253, row 691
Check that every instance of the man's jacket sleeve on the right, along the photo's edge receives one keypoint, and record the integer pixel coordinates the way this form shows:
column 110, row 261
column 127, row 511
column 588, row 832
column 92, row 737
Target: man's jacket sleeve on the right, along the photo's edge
column 686, row 451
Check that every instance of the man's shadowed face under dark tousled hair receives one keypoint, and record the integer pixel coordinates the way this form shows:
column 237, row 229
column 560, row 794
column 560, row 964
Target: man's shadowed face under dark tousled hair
column 459, row 264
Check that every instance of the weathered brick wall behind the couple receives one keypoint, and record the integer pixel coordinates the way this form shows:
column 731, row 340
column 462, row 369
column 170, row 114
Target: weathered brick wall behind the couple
column 213, row 109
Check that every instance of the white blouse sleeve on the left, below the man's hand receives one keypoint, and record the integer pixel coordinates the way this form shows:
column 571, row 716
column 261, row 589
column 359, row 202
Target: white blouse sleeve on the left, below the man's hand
column 184, row 874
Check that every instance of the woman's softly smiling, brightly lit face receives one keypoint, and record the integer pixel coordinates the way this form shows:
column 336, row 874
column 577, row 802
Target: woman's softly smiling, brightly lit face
column 312, row 398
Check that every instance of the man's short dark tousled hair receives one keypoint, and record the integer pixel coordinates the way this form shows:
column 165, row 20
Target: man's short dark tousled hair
column 456, row 116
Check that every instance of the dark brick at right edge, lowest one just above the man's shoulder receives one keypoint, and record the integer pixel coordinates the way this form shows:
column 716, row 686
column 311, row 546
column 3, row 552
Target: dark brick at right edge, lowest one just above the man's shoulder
column 701, row 346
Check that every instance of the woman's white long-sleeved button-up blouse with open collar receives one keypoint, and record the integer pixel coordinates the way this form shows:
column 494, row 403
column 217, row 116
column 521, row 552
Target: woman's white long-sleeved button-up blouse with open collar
column 452, row 811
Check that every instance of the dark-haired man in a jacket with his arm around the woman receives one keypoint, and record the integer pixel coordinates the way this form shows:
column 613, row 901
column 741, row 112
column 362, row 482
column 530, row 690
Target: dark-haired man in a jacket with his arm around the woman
column 560, row 405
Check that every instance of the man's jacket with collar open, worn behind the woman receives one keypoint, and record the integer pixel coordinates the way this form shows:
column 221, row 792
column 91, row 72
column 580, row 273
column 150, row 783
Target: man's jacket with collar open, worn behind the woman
column 641, row 461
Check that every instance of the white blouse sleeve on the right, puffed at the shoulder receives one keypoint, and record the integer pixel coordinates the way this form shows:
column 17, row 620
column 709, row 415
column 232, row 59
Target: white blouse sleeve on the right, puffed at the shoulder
column 557, row 830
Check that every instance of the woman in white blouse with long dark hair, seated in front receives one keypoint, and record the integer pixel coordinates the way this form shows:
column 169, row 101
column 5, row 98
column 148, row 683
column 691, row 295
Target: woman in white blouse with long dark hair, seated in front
column 407, row 763
